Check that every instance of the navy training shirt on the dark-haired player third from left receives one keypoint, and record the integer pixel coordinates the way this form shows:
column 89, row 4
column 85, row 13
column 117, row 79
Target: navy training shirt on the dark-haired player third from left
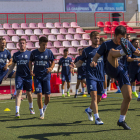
column 41, row 63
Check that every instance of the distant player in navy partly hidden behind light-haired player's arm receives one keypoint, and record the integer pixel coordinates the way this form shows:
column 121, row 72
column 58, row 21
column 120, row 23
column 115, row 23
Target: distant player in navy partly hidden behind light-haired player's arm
column 81, row 74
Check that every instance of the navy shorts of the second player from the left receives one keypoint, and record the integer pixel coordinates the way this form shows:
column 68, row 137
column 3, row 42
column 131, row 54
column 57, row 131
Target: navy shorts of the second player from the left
column 23, row 83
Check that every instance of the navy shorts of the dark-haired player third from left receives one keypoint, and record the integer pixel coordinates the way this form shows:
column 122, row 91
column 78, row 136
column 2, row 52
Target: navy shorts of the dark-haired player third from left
column 42, row 86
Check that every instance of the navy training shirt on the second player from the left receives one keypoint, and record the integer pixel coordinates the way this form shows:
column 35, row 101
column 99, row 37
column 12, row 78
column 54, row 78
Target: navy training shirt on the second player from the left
column 22, row 60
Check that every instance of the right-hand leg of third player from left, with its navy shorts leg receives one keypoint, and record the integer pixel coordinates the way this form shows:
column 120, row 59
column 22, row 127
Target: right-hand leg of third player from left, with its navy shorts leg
column 46, row 92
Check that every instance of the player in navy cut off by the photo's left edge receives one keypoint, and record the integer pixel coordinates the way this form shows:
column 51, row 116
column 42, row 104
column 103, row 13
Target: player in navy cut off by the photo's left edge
column 4, row 56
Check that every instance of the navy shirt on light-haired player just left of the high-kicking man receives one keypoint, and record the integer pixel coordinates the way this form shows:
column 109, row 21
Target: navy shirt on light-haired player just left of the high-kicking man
column 94, row 73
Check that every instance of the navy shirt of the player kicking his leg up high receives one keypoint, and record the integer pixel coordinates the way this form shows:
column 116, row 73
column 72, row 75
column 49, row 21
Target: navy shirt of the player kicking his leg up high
column 107, row 45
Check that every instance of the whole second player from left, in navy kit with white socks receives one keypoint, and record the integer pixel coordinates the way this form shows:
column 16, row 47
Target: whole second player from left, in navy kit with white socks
column 23, row 80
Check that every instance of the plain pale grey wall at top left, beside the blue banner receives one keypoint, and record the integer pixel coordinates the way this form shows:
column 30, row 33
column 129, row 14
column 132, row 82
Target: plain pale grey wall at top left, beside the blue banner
column 38, row 6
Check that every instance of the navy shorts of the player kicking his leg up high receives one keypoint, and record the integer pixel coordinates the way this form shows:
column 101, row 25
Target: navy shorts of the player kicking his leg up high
column 119, row 74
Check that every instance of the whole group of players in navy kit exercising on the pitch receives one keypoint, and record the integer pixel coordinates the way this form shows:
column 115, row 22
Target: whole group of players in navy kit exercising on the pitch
column 111, row 57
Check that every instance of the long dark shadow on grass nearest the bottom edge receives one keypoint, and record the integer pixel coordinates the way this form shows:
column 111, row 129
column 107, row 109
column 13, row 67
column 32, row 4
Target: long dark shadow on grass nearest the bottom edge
column 45, row 136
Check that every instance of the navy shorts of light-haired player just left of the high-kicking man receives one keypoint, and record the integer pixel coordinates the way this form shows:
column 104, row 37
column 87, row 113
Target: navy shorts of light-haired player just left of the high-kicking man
column 93, row 85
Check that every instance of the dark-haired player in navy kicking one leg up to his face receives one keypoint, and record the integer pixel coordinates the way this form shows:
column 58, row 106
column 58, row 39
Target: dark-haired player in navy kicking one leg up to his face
column 111, row 50
